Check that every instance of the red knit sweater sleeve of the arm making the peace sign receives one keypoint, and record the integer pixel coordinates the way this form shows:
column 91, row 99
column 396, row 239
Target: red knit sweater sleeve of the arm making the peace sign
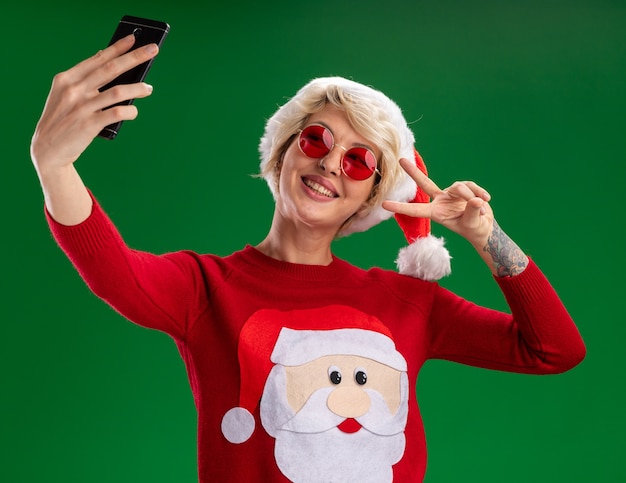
column 538, row 337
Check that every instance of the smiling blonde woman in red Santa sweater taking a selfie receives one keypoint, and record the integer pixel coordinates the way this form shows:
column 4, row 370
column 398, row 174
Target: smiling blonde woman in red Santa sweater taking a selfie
column 302, row 366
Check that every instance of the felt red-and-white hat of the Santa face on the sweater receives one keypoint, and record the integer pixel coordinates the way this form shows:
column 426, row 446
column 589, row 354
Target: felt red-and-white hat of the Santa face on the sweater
column 284, row 337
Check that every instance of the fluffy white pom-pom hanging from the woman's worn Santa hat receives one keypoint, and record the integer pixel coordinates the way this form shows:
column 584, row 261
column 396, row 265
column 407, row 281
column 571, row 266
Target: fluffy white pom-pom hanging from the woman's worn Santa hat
column 425, row 258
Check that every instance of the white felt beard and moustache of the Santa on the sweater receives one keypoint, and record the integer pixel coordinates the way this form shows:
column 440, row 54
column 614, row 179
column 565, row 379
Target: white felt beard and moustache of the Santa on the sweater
column 310, row 448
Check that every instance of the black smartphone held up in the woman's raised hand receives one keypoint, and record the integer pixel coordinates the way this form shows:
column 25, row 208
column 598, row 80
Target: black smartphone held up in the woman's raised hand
column 146, row 32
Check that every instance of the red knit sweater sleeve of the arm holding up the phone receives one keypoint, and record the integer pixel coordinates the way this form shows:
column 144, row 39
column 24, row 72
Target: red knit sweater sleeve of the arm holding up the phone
column 163, row 292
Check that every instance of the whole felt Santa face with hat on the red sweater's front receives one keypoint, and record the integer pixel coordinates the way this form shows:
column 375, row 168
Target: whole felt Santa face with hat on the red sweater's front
column 334, row 393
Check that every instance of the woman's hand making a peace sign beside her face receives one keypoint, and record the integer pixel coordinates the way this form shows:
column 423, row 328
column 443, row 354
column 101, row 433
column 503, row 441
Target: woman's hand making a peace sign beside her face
column 463, row 207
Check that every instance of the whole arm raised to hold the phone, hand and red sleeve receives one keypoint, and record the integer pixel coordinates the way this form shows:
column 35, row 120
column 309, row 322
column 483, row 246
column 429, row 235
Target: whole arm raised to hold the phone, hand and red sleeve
column 161, row 292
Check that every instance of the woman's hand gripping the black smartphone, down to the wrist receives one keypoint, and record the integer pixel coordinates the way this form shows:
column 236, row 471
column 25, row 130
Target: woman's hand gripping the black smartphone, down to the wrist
column 72, row 116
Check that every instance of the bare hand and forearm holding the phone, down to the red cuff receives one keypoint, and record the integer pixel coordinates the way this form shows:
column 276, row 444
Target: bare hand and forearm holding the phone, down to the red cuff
column 73, row 116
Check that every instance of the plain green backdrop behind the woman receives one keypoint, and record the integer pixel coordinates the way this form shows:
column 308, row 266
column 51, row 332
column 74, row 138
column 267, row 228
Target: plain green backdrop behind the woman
column 526, row 98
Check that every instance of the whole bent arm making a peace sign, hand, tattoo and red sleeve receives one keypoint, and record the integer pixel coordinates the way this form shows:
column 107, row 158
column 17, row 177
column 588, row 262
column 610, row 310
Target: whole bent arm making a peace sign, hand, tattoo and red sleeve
column 538, row 337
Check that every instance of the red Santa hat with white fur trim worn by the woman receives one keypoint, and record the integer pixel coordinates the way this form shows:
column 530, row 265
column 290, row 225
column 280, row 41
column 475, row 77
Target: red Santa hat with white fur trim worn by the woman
column 425, row 257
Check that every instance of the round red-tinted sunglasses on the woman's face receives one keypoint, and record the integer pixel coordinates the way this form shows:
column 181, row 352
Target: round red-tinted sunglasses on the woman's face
column 316, row 141
